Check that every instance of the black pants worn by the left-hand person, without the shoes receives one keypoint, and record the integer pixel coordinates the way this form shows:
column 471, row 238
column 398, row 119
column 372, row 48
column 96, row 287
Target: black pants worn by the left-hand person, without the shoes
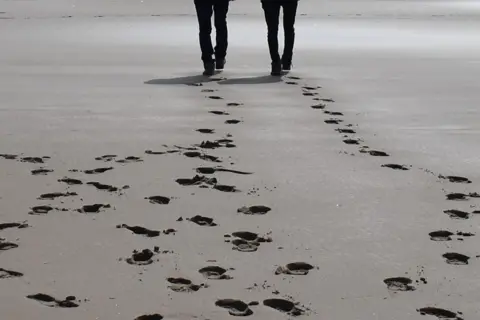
column 205, row 10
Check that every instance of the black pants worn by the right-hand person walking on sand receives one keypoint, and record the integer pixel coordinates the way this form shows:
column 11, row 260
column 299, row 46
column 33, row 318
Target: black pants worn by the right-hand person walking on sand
column 272, row 15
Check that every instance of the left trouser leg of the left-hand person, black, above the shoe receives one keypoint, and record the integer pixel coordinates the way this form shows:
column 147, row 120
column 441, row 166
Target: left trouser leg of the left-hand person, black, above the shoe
column 204, row 15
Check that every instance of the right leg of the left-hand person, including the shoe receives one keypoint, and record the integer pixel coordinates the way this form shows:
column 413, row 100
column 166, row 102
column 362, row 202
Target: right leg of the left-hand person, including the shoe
column 221, row 9
